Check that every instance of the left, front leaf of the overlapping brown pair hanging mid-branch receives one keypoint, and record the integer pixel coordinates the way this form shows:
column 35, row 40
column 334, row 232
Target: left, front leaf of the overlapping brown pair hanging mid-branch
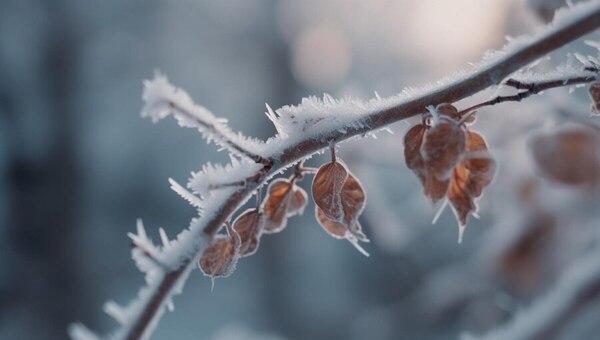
column 326, row 188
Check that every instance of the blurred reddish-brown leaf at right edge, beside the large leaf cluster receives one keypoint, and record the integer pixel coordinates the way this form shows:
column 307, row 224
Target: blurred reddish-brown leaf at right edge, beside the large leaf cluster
column 569, row 154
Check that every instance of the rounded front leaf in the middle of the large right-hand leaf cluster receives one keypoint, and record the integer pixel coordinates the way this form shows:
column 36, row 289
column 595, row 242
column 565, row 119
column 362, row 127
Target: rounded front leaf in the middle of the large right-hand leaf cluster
column 443, row 147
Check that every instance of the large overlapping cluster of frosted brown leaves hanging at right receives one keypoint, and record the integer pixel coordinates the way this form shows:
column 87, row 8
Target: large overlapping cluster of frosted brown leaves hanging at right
column 451, row 161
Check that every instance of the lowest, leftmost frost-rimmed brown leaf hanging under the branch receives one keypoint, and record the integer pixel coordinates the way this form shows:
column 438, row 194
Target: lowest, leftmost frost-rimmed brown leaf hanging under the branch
column 220, row 257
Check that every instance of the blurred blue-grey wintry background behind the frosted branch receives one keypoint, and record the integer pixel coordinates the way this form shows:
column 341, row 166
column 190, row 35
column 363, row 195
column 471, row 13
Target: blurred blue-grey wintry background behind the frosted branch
column 78, row 166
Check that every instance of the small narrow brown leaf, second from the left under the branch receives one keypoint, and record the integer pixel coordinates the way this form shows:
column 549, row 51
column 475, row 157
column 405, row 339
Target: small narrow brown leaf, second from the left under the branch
column 249, row 226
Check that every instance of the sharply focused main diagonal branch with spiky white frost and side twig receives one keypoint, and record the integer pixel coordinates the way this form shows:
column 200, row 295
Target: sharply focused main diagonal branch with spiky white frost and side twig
column 302, row 131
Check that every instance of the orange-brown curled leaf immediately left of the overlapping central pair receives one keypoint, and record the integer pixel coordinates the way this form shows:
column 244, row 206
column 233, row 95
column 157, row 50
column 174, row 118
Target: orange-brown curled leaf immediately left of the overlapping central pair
column 284, row 199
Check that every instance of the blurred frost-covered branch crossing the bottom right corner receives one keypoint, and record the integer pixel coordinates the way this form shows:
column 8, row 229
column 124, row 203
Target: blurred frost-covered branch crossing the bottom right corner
column 577, row 287
